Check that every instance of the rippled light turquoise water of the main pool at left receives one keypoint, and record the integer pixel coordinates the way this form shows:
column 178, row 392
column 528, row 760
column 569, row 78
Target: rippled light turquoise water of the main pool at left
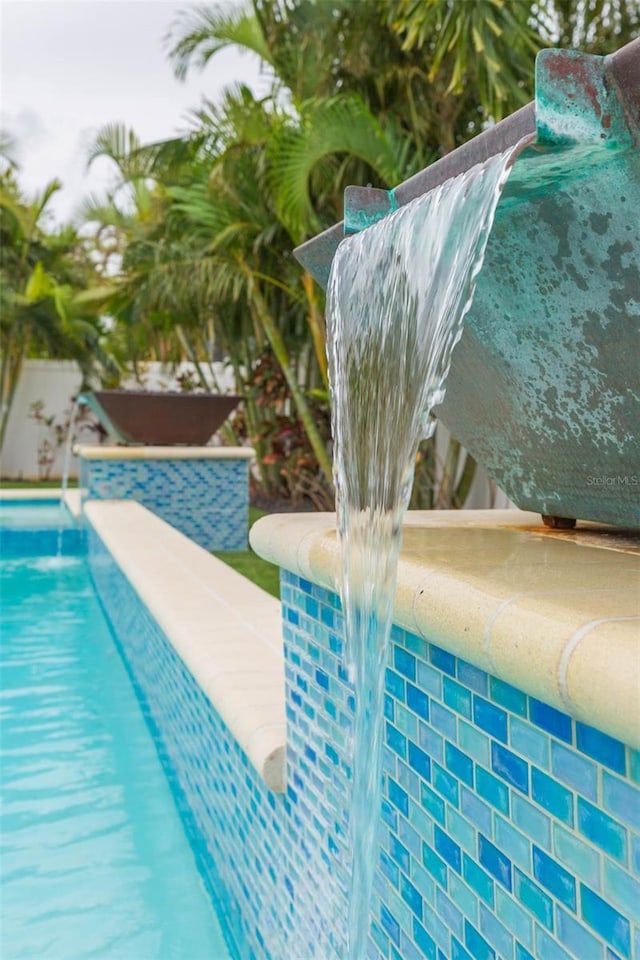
column 94, row 860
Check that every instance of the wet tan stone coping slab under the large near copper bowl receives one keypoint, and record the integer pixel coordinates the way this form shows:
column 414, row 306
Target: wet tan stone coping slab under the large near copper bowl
column 548, row 614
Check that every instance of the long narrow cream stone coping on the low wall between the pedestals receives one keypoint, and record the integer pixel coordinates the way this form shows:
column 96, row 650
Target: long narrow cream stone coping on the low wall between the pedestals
column 226, row 630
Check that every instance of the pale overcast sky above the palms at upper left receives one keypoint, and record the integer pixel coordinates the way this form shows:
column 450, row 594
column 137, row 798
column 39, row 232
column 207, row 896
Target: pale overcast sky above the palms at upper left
column 70, row 66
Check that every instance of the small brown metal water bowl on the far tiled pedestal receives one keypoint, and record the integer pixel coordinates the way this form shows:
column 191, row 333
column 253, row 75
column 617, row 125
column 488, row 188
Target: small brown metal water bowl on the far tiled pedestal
column 155, row 418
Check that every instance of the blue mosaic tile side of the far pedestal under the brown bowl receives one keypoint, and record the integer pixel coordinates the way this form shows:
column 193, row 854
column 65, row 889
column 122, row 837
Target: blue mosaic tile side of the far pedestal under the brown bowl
column 208, row 500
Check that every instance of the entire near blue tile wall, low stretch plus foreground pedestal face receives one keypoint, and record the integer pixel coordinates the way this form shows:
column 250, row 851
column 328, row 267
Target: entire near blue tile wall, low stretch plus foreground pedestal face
column 507, row 831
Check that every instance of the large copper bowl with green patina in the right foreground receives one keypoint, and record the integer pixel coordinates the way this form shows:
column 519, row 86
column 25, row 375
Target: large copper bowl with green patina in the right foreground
column 544, row 386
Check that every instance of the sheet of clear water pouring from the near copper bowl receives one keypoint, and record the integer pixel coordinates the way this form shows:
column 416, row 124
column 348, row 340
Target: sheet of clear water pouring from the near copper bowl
column 398, row 294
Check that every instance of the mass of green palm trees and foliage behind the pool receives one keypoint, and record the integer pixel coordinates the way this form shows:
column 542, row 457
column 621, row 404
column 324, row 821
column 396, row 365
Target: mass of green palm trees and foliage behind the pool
column 200, row 228
